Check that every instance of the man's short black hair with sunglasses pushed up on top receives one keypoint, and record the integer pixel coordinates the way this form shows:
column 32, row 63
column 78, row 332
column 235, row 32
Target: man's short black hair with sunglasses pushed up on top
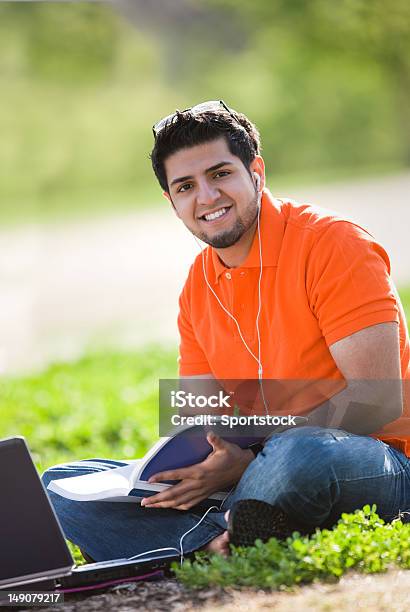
column 187, row 129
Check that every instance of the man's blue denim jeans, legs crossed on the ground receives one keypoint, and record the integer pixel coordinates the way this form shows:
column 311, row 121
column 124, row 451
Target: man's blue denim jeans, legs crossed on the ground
column 314, row 474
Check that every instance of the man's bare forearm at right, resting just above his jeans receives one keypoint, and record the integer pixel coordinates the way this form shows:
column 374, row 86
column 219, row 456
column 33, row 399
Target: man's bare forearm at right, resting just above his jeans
column 363, row 407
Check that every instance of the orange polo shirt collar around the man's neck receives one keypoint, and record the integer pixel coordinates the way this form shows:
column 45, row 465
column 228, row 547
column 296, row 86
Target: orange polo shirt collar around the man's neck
column 271, row 229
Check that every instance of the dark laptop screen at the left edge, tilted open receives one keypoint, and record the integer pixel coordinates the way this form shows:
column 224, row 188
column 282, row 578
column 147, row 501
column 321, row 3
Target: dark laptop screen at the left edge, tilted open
column 31, row 540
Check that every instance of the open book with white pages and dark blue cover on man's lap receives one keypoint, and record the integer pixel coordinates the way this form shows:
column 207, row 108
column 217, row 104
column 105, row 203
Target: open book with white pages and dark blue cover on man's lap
column 187, row 446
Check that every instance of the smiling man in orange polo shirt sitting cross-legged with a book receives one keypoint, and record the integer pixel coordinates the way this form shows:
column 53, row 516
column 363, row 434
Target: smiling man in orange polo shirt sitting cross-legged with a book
column 284, row 291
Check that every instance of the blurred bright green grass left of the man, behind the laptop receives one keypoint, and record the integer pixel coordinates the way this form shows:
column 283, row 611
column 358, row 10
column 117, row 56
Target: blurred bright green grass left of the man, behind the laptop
column 105, row 404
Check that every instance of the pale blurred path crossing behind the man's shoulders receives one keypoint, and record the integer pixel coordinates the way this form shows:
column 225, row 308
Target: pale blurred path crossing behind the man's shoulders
column 117, row 279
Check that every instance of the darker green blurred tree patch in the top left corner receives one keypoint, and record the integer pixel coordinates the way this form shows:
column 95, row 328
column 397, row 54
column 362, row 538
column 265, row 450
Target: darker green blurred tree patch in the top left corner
column 76, row 42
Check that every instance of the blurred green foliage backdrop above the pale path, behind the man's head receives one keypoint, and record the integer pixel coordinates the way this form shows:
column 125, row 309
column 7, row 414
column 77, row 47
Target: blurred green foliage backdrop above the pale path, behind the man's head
column 327, row 83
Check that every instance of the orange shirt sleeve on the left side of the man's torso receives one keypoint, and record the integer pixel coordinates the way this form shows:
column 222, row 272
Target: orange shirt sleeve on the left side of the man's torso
column 192, row 359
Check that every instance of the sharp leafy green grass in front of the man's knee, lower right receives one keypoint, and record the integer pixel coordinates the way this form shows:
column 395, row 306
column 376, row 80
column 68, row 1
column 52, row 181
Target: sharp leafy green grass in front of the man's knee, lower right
column 360, row 541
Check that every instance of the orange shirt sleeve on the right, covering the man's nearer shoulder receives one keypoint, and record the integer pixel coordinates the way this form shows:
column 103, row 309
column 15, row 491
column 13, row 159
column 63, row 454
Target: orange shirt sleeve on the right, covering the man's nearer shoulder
column 348, row 282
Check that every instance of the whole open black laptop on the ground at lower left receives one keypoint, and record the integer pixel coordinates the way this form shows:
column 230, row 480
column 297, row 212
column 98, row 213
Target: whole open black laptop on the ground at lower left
column 32, row 545
